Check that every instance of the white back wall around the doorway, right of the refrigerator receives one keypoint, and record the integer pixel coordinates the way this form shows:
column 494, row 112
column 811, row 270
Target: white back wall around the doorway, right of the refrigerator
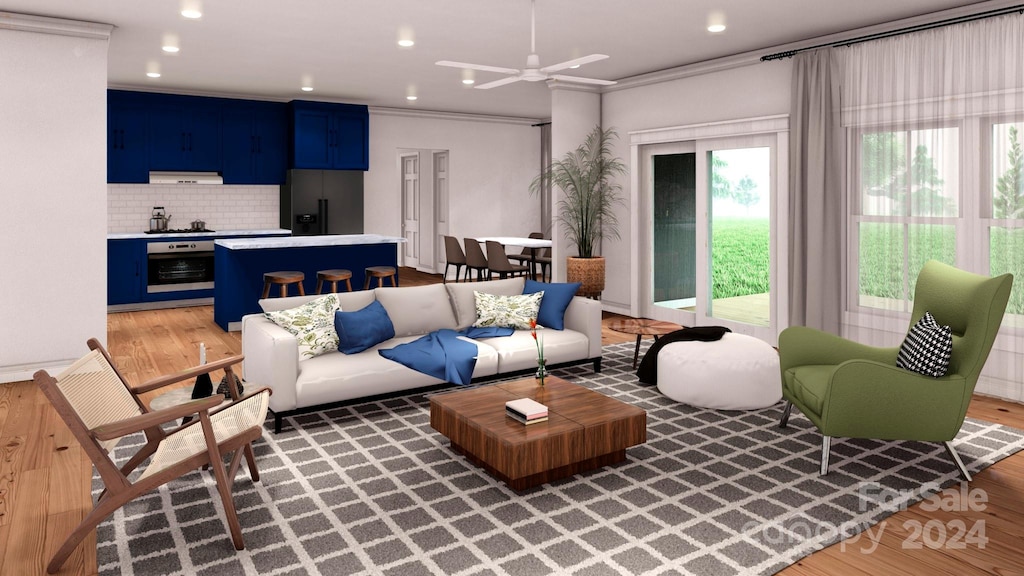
column 491, row 166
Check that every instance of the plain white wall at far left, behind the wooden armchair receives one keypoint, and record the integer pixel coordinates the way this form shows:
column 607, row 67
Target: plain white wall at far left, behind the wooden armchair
column 54, row 179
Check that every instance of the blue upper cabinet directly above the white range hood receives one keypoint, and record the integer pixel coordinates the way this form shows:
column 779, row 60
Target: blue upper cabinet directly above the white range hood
column 185, row 134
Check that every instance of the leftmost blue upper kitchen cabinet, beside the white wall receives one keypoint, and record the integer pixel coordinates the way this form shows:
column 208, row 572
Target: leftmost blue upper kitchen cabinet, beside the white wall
column 127, row 151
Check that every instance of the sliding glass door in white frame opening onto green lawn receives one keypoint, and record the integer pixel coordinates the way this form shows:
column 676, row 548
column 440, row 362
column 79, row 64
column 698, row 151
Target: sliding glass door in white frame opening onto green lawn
column 710, row 208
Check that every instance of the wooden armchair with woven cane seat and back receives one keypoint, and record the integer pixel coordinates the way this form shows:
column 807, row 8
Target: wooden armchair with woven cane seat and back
column 101, row 408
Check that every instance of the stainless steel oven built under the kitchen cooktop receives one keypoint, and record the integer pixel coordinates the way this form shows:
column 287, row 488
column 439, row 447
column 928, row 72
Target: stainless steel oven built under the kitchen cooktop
column 178, row 266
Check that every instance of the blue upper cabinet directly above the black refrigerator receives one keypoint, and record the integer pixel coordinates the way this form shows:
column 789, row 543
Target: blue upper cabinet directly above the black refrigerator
column 330, row 137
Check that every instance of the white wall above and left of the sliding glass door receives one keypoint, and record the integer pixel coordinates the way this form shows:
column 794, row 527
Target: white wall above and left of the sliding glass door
column 758, row 90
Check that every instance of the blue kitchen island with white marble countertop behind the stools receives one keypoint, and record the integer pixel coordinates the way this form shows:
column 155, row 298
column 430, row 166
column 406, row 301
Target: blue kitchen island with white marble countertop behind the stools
column 242, row 263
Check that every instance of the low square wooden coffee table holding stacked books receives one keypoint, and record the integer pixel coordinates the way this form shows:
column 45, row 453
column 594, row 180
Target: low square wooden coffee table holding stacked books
column 585, row 430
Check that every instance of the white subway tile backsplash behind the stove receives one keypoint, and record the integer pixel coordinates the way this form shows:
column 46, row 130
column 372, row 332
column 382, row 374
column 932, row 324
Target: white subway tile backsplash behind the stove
column 222, row 208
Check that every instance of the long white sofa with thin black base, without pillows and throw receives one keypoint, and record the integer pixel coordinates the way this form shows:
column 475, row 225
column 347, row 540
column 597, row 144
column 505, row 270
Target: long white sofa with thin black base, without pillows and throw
column 272, row 357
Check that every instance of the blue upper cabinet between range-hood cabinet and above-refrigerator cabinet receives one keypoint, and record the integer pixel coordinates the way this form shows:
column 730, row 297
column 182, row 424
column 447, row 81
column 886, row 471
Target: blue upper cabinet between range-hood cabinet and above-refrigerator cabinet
column 255, row 138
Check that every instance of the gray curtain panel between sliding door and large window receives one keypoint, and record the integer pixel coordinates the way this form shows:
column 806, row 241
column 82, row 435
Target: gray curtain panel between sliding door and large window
column 818, row 207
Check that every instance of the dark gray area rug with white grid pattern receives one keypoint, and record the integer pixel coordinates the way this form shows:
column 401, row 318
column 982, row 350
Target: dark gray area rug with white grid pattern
column 372, row 489
